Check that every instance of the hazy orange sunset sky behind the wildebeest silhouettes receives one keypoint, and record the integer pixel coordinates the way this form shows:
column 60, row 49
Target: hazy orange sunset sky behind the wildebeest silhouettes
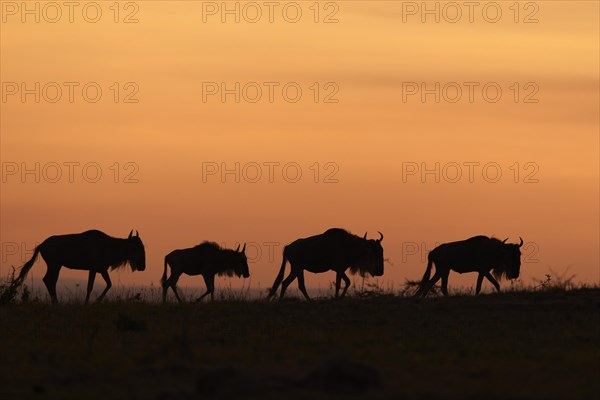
column 547, row 150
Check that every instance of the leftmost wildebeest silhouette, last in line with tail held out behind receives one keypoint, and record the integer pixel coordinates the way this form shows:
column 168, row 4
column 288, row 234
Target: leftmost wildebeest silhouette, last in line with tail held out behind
column 92, row 251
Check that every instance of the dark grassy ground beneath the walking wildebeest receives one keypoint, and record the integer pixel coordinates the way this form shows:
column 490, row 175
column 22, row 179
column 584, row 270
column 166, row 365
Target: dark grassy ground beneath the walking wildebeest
column 529, row 345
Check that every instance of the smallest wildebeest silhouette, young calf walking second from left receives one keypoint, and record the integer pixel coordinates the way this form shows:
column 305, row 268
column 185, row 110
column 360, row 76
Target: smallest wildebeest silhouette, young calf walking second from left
column 207, row 259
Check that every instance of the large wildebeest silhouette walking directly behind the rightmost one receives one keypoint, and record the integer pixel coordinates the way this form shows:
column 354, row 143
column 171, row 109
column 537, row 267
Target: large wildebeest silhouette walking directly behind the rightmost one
column 337, row 250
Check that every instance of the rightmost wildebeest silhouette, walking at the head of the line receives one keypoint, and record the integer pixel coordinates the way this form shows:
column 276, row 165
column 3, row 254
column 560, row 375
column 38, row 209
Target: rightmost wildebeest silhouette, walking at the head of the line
column 477, row 254
